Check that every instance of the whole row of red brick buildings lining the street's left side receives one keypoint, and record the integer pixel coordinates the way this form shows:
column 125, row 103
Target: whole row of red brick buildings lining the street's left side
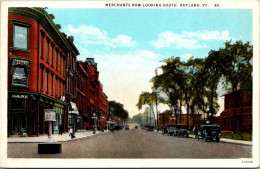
column 43, row 74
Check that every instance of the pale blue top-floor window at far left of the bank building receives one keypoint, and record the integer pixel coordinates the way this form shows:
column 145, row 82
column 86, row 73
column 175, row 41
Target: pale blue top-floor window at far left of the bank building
column 20, row 37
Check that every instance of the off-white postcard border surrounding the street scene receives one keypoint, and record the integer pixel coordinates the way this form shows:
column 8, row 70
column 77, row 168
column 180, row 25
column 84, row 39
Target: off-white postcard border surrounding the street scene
column 16, row 162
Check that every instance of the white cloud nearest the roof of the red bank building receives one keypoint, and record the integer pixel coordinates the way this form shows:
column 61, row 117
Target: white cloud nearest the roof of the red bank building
column 94, row 36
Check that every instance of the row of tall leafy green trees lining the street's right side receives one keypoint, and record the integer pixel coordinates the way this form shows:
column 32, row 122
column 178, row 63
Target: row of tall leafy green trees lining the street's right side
column 194, row 83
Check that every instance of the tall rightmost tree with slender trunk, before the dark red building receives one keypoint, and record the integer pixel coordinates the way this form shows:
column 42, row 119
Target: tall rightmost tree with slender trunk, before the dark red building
column 237, row 70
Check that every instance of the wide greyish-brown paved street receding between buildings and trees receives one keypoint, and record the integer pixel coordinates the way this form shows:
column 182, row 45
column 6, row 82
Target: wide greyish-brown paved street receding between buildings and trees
column 135, row 143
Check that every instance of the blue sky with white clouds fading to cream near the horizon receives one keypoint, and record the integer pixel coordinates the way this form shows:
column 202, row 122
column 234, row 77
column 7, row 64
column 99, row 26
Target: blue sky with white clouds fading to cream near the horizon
column 129, row 44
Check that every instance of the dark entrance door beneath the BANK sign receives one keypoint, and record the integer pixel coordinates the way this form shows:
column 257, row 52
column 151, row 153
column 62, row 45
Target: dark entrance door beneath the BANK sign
column 19, row 123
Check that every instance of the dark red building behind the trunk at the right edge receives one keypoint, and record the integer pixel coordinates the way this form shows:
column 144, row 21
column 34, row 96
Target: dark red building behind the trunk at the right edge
column 237, row 114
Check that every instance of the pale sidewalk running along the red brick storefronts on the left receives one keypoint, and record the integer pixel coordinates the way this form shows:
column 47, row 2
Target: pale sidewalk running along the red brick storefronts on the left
column 56, row 137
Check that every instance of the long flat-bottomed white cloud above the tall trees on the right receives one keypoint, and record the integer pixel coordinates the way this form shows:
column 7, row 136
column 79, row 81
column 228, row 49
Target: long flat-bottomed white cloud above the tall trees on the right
column 188, row 40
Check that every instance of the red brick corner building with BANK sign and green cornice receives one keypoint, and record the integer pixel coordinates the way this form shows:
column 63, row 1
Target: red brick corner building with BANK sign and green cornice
column 37, row 54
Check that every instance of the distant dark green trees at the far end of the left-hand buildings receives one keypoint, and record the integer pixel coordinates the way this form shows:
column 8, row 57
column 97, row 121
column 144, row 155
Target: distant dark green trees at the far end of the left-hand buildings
column 117, row 112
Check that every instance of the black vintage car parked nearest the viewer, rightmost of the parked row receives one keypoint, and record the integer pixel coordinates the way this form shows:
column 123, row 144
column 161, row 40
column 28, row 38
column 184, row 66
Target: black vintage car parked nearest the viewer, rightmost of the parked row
column 209, row 133
